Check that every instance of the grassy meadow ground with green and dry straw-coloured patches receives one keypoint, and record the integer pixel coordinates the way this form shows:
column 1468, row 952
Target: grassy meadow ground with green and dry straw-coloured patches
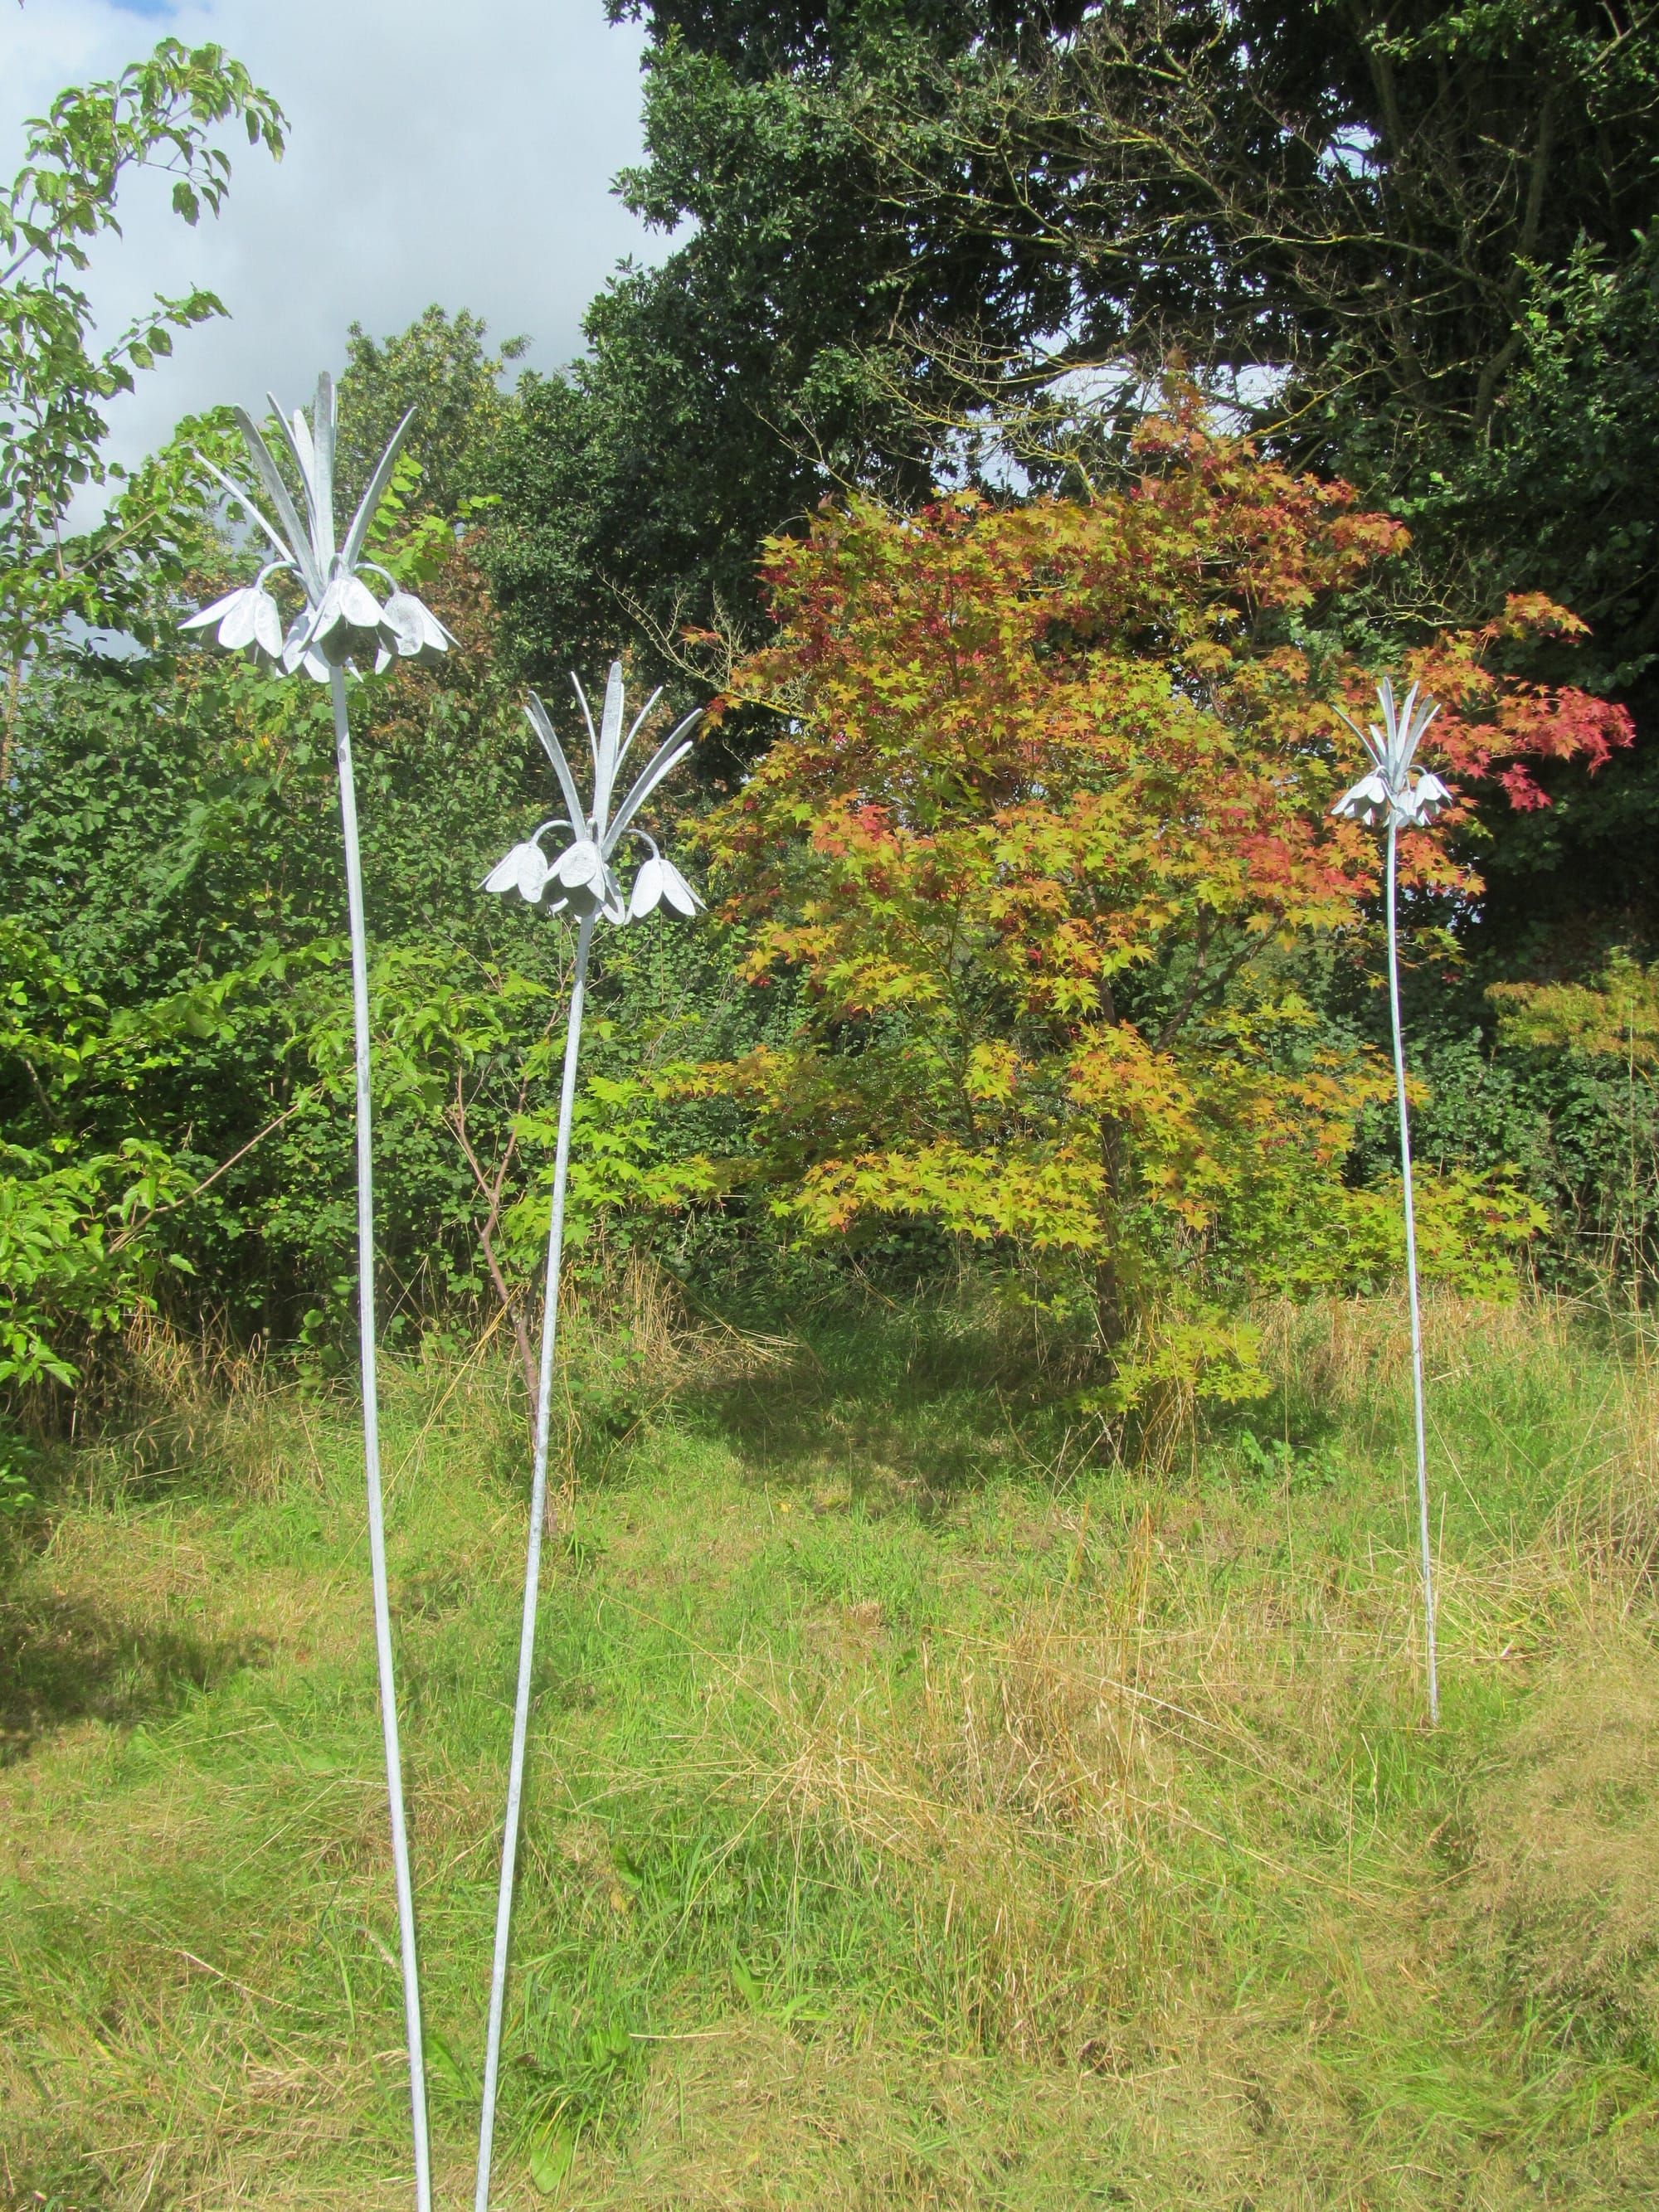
column 919, row 1815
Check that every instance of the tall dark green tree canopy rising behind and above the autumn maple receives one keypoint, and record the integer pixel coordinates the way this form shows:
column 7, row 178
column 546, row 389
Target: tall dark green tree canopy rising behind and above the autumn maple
column 1426, row 238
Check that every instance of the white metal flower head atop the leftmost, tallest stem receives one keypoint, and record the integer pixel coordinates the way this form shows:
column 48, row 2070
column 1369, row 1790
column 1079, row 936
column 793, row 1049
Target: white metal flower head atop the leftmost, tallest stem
column 342, row 618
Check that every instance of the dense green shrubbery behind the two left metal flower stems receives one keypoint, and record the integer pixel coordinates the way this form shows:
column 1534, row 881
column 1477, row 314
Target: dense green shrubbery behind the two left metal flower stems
column 176, row 842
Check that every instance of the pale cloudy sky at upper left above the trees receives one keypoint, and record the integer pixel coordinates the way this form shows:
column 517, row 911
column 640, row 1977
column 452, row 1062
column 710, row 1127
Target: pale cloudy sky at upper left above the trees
column 455, row 152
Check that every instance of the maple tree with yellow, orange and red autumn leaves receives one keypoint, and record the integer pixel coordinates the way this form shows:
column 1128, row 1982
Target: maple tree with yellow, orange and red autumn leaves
column 1047, row 837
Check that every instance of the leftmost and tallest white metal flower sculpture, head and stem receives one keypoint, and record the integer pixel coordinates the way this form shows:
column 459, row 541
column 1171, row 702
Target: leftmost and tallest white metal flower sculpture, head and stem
column 340, row 623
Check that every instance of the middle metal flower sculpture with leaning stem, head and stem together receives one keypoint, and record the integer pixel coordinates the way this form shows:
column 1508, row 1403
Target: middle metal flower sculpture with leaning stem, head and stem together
column 578, row 881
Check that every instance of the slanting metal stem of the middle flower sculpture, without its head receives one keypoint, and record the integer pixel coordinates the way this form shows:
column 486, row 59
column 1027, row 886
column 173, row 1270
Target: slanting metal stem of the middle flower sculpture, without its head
column 532, row 1574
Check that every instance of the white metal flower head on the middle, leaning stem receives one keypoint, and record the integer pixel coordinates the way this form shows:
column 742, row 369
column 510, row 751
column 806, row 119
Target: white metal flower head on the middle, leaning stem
column 581, row 879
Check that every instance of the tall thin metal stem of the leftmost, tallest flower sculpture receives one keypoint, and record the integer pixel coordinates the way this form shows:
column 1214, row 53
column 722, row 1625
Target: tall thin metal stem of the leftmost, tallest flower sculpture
column 373, row 1443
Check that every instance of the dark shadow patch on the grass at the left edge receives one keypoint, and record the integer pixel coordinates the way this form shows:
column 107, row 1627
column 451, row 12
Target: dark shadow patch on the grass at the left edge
column 67, row 1660
